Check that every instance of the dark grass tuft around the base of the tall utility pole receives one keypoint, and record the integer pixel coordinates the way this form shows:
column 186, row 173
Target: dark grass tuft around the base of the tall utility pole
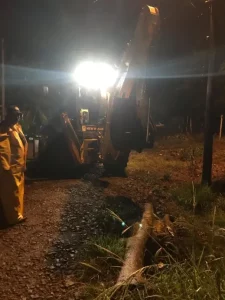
column 190, row 197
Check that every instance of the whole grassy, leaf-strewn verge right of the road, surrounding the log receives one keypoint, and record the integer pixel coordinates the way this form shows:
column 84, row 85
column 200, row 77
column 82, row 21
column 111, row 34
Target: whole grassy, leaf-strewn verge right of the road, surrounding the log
column 171, row 175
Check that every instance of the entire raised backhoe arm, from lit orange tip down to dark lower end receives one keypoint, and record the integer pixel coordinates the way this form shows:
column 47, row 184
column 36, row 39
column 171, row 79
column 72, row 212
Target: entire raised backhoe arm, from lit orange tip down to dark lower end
column 128, row 124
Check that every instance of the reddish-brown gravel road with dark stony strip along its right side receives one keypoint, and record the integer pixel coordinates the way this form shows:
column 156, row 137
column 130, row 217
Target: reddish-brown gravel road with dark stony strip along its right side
column 38, row 258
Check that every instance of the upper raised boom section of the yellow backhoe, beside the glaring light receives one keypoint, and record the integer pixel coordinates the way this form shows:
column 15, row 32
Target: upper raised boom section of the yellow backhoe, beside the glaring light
column 137, row 55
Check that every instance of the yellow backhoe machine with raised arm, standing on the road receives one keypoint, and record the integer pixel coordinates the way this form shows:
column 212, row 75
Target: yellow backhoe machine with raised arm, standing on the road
column 127, row 125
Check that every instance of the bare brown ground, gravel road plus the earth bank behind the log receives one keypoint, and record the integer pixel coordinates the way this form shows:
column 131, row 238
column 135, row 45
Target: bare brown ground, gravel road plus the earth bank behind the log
column 40, row 258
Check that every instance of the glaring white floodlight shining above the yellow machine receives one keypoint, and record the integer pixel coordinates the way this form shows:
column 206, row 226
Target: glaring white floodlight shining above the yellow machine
column 96, row 76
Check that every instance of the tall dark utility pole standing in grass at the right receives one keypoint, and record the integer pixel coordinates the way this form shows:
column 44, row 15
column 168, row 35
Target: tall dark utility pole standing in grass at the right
column 208, row 135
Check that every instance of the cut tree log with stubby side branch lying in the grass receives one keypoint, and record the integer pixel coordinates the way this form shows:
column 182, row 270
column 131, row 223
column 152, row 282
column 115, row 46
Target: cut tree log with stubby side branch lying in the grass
column 149, row 228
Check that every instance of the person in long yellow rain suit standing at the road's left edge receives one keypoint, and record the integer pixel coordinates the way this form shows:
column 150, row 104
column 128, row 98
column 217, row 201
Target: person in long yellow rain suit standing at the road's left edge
column 13, row 150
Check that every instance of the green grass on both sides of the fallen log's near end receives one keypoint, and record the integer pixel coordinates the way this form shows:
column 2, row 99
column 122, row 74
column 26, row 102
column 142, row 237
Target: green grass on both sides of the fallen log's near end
column 200, row 276
